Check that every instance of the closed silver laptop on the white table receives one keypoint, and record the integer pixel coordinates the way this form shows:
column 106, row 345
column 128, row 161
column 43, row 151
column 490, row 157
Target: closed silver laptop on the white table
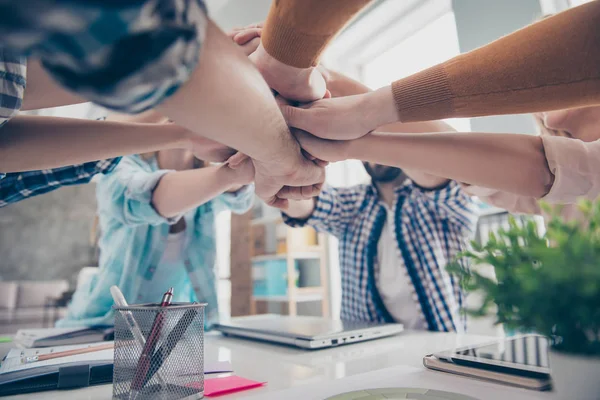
column 305, row 332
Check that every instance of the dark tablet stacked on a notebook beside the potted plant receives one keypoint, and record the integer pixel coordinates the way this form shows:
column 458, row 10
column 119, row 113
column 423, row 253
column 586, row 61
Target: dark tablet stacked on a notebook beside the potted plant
column 520, row 361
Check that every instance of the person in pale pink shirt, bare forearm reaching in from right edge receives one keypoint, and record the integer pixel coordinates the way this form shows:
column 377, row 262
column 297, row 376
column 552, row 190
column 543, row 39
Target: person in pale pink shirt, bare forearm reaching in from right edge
column 508, row 169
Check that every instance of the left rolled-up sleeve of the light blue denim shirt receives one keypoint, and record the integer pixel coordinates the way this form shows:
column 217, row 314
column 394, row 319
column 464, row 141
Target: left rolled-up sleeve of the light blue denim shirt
column 126, row 194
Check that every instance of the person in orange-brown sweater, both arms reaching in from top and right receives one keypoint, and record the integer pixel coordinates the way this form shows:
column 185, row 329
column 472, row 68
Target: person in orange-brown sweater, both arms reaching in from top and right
column 549, row 65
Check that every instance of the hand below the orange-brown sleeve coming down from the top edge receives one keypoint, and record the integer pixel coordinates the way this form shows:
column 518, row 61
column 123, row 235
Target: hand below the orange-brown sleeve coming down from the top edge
column 298, row 84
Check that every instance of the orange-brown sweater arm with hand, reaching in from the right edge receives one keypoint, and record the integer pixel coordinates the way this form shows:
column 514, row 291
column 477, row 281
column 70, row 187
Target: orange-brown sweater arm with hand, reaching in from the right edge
column 549, row 65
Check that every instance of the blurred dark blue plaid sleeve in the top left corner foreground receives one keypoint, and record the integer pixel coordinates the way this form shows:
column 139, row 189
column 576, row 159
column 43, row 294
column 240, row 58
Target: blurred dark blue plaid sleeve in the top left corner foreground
column 126, row 55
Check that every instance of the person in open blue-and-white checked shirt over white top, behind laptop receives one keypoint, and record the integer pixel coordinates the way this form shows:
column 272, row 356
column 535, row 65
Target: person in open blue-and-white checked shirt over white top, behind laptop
column 396, row 234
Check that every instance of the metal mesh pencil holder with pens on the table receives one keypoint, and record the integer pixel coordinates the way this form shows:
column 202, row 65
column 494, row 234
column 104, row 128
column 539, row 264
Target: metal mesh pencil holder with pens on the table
column 159, row 352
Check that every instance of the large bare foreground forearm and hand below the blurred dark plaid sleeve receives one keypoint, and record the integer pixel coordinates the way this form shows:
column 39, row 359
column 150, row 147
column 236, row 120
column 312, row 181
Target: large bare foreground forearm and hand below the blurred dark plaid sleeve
column 233, row 105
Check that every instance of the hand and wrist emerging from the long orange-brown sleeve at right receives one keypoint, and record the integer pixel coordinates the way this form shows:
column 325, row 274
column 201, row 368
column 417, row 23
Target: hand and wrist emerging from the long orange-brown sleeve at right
column 344, row 118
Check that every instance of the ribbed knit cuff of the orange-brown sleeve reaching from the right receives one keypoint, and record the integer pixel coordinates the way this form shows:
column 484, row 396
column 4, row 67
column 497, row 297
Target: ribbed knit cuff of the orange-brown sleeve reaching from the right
column 424, row 96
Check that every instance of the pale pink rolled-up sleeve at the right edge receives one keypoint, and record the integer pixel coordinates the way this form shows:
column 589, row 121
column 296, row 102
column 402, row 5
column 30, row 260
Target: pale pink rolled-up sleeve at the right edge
column 576, row 168
